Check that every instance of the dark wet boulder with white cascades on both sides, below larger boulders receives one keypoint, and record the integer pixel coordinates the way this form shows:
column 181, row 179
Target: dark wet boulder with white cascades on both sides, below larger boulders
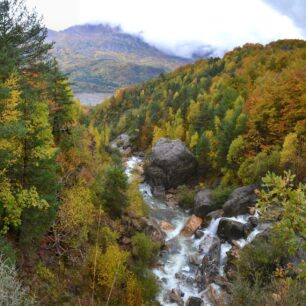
column 229, row 230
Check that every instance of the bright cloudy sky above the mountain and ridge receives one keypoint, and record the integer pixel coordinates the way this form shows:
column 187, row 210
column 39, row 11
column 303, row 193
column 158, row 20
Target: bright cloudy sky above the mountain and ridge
column 182, row 27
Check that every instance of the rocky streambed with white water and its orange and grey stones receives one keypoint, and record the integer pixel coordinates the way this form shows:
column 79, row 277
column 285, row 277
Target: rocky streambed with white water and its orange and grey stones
column 193, row 266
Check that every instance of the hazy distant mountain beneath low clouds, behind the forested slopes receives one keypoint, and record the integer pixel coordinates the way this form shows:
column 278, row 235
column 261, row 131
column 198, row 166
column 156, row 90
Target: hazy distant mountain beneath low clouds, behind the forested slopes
column 101, row 58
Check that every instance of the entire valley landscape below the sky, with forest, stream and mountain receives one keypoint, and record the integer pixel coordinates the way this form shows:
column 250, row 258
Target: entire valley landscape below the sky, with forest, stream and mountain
column 131, row 177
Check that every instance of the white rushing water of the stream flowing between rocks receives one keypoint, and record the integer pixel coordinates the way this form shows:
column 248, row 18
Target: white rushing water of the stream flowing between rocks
column 176, row 269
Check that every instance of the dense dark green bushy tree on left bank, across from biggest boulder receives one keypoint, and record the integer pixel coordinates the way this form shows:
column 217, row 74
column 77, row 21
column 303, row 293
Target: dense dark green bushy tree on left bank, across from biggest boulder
column 110, row 188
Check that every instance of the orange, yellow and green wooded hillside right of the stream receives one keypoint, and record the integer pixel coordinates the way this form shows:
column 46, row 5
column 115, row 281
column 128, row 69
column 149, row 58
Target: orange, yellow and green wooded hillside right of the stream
column 241, row 115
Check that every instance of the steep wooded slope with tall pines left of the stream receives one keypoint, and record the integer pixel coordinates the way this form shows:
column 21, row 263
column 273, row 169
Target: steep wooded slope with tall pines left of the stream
column 65, row 202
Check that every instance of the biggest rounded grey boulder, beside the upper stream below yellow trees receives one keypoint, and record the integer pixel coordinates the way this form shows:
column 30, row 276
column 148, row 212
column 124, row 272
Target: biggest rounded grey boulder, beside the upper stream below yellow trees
column 170, row 164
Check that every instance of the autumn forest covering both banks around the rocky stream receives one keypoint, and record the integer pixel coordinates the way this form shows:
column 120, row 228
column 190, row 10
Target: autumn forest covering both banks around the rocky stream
column 73, row 228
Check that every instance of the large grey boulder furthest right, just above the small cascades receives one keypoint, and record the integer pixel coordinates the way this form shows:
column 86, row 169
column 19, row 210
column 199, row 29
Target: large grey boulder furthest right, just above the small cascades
column 240, row 201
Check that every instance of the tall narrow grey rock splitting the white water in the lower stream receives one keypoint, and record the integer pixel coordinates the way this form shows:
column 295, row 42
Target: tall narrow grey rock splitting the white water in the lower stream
column 210, row 264
